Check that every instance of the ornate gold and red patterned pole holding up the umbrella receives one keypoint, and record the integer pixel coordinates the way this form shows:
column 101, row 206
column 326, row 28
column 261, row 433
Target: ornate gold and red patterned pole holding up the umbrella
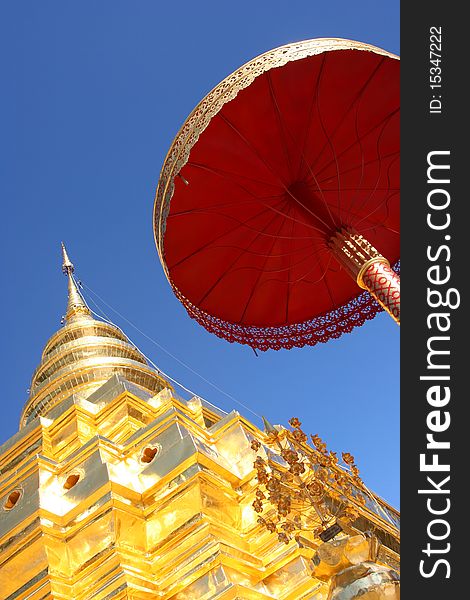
column 369, row 268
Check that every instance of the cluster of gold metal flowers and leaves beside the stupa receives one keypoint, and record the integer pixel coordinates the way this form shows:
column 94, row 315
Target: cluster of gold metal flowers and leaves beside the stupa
column 309, row 489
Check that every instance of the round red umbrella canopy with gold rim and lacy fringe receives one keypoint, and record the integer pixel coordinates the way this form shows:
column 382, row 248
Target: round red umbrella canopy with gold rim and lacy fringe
column 296, row 145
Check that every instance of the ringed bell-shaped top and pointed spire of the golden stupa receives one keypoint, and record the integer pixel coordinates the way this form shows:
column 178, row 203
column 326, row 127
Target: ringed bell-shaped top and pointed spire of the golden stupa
column 83, row 355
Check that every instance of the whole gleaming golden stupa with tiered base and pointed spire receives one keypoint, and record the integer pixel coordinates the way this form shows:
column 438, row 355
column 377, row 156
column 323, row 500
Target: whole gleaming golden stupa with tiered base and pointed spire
column 115, row 487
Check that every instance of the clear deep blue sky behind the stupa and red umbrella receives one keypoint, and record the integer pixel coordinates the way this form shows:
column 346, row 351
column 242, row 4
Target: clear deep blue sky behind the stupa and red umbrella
column 94, row 92
